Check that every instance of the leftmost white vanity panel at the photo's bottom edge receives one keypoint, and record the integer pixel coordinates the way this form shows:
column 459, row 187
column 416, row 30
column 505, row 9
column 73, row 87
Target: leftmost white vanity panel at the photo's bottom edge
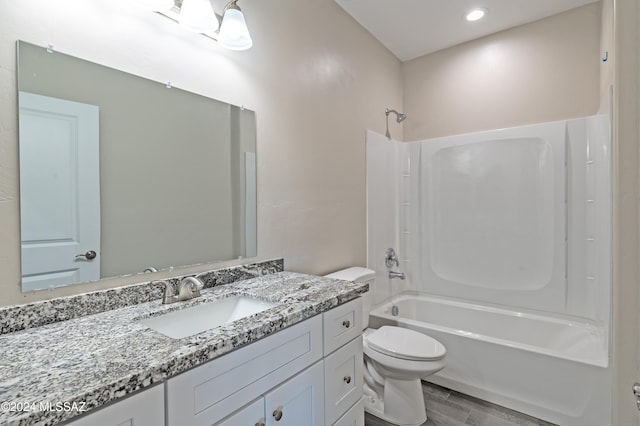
column 142, row 409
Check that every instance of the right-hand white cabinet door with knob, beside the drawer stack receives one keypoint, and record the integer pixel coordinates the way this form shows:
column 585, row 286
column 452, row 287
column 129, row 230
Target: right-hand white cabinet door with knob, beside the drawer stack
column 299, row 401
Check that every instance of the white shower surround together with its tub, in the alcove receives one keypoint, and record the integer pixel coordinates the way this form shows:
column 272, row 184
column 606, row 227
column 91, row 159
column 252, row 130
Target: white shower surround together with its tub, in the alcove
column 514, row 219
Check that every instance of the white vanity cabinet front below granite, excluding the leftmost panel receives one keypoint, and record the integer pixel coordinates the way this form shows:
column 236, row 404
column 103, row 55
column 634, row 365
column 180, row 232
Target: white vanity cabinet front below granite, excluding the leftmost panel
column 307, row 374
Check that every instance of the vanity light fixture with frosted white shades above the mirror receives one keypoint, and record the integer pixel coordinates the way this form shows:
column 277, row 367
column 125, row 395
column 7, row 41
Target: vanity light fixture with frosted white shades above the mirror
column 230, row 29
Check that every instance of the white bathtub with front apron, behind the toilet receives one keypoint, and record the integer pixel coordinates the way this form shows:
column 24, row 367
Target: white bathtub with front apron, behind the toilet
column 550, row 367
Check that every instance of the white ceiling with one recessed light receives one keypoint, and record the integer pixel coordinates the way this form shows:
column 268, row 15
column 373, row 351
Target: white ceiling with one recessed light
column 413, row 28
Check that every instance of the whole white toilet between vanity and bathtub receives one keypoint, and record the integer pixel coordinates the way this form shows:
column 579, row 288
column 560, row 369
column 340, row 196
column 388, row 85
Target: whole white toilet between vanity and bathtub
column 395, row 359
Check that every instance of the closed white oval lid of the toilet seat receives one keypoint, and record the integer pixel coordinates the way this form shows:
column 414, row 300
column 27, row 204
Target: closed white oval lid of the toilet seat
column 405, row 344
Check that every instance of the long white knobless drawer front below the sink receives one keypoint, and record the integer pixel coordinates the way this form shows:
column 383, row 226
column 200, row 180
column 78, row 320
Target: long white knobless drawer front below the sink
column 208, row 393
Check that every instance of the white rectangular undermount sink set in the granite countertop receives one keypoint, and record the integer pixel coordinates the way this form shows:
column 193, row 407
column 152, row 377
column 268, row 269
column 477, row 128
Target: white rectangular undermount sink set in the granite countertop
column 196, row 319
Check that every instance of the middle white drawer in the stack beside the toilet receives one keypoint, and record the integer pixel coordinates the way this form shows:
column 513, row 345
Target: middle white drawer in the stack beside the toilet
column 343, row 379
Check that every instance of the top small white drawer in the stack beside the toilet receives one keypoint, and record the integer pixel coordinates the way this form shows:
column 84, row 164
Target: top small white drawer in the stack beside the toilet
column 342, row 324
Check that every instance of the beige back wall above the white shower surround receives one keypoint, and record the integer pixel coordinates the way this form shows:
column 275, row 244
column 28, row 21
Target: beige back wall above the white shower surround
column 543, row 71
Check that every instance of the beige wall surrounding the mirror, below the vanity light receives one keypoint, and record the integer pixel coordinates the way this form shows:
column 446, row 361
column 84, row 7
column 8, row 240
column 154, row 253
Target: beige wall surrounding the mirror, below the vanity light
column 314, row 77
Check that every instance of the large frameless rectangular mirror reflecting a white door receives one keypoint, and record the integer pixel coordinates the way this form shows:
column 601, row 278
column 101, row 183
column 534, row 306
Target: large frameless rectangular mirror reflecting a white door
column 120, row 174
